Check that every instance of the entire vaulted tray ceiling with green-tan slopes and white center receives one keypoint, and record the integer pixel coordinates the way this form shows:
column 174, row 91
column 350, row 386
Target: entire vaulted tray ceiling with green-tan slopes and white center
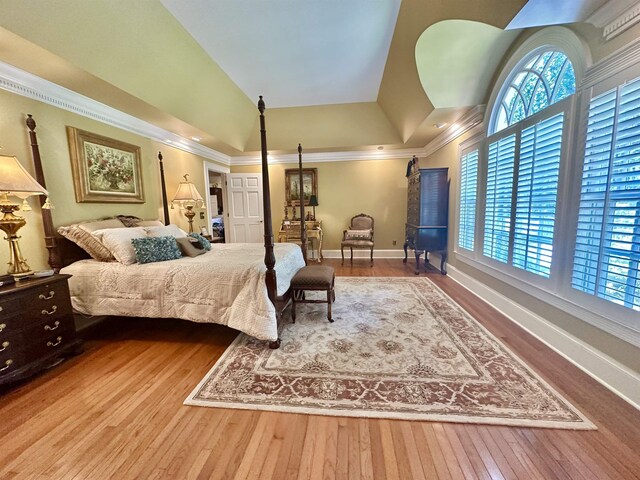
column 336, row 75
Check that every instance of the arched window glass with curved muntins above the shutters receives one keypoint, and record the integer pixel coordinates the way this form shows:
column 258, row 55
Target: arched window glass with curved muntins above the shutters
column 540, row 80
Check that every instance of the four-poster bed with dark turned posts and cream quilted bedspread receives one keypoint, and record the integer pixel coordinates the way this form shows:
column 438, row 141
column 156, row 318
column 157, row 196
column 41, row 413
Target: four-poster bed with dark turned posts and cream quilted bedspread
column 166, row 299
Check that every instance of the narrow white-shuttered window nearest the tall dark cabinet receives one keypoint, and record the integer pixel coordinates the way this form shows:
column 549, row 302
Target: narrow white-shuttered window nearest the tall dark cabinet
column 468, row 196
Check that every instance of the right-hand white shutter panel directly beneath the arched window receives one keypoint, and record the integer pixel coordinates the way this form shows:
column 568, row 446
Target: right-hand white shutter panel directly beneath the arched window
column 536, row 195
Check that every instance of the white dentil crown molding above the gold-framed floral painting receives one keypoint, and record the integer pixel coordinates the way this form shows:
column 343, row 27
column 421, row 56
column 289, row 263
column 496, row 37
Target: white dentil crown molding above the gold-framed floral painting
column 26, row 84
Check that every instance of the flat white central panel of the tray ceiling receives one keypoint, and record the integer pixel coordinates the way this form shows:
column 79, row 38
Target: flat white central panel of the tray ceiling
column 295, row 52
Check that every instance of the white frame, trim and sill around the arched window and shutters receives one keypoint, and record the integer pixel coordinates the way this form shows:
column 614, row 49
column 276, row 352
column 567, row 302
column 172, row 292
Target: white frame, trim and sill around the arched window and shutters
column 611, row 72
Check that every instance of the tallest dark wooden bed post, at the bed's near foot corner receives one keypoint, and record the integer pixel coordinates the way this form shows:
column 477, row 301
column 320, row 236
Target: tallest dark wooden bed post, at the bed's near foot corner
column 269, row 256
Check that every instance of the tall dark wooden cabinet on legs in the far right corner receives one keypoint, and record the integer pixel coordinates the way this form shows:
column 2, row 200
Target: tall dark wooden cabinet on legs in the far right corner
column 427, row 214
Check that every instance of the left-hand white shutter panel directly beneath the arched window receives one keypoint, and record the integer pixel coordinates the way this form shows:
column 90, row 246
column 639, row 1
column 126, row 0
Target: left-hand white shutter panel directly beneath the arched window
column 497, row 220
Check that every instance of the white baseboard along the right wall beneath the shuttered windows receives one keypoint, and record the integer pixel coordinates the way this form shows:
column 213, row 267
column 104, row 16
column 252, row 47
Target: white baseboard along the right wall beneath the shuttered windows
column 621, row 380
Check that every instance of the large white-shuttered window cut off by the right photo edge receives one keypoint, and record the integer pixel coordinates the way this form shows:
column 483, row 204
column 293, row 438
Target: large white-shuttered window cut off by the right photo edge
column 607, row 252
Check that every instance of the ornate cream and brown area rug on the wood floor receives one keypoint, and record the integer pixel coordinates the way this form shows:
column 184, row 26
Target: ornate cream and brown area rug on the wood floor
column 399, row 348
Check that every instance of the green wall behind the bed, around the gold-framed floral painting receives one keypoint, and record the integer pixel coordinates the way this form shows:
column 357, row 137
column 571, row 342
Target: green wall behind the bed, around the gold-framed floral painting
column 54, row 151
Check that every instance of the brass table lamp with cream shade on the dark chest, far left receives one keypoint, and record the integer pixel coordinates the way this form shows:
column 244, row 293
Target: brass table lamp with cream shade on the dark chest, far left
column 16, row 185
